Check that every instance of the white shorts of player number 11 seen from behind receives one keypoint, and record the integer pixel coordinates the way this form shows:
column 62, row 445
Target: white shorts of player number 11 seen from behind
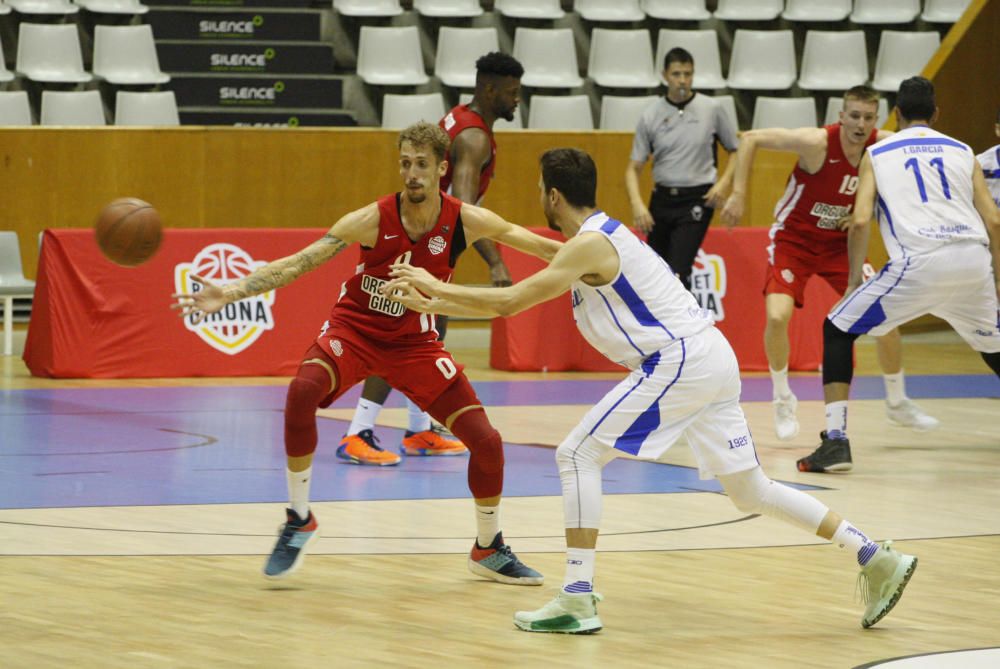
column 954, row 283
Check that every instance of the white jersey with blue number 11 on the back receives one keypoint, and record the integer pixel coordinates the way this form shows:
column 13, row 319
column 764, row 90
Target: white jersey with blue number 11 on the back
column 924, row 181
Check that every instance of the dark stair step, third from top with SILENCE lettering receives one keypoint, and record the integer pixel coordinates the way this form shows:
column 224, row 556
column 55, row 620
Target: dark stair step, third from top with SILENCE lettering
column 258, row 90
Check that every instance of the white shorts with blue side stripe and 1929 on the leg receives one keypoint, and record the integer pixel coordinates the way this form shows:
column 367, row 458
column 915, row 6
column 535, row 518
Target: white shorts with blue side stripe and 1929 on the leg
column 693, row 388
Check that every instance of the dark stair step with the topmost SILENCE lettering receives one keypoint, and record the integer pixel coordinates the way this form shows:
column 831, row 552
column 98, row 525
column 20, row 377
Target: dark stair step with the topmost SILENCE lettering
column 238, row 24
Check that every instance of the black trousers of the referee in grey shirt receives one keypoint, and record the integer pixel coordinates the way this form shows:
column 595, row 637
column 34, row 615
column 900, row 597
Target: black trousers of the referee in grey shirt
column 680, row 222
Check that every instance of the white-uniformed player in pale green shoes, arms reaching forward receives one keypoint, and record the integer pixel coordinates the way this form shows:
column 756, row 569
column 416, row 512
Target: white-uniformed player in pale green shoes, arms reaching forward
column 684, row 379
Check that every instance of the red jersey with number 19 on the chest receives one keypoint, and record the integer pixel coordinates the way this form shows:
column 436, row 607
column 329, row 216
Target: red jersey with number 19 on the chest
column 808, row 212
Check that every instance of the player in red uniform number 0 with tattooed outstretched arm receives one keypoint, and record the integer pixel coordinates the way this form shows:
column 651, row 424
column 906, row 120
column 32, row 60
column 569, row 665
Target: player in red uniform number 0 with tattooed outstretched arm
column 369, row 334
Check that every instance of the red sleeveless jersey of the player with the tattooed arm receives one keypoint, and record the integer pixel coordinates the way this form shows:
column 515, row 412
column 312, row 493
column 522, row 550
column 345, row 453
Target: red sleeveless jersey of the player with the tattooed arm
column 361, row 306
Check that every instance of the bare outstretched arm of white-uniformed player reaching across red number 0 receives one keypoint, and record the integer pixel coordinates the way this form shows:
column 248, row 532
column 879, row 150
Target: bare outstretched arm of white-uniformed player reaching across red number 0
column 588, row 254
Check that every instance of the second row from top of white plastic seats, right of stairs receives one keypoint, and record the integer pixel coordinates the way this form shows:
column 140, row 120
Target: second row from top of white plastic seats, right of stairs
column 760, row 60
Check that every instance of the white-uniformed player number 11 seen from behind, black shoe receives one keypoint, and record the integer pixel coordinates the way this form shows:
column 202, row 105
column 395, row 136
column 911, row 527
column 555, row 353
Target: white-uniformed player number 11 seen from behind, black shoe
column 942, row 231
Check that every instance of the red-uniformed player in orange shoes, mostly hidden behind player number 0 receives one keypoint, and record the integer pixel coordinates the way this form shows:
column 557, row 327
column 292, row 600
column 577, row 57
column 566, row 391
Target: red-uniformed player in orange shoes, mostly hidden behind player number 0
column 471, row 165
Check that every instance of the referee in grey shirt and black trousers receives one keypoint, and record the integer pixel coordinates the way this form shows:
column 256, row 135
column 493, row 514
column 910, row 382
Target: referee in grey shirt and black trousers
column 680, row 132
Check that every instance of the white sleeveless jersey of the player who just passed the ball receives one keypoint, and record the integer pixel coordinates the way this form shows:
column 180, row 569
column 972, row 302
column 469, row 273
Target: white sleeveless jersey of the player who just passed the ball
column 645, row 308
